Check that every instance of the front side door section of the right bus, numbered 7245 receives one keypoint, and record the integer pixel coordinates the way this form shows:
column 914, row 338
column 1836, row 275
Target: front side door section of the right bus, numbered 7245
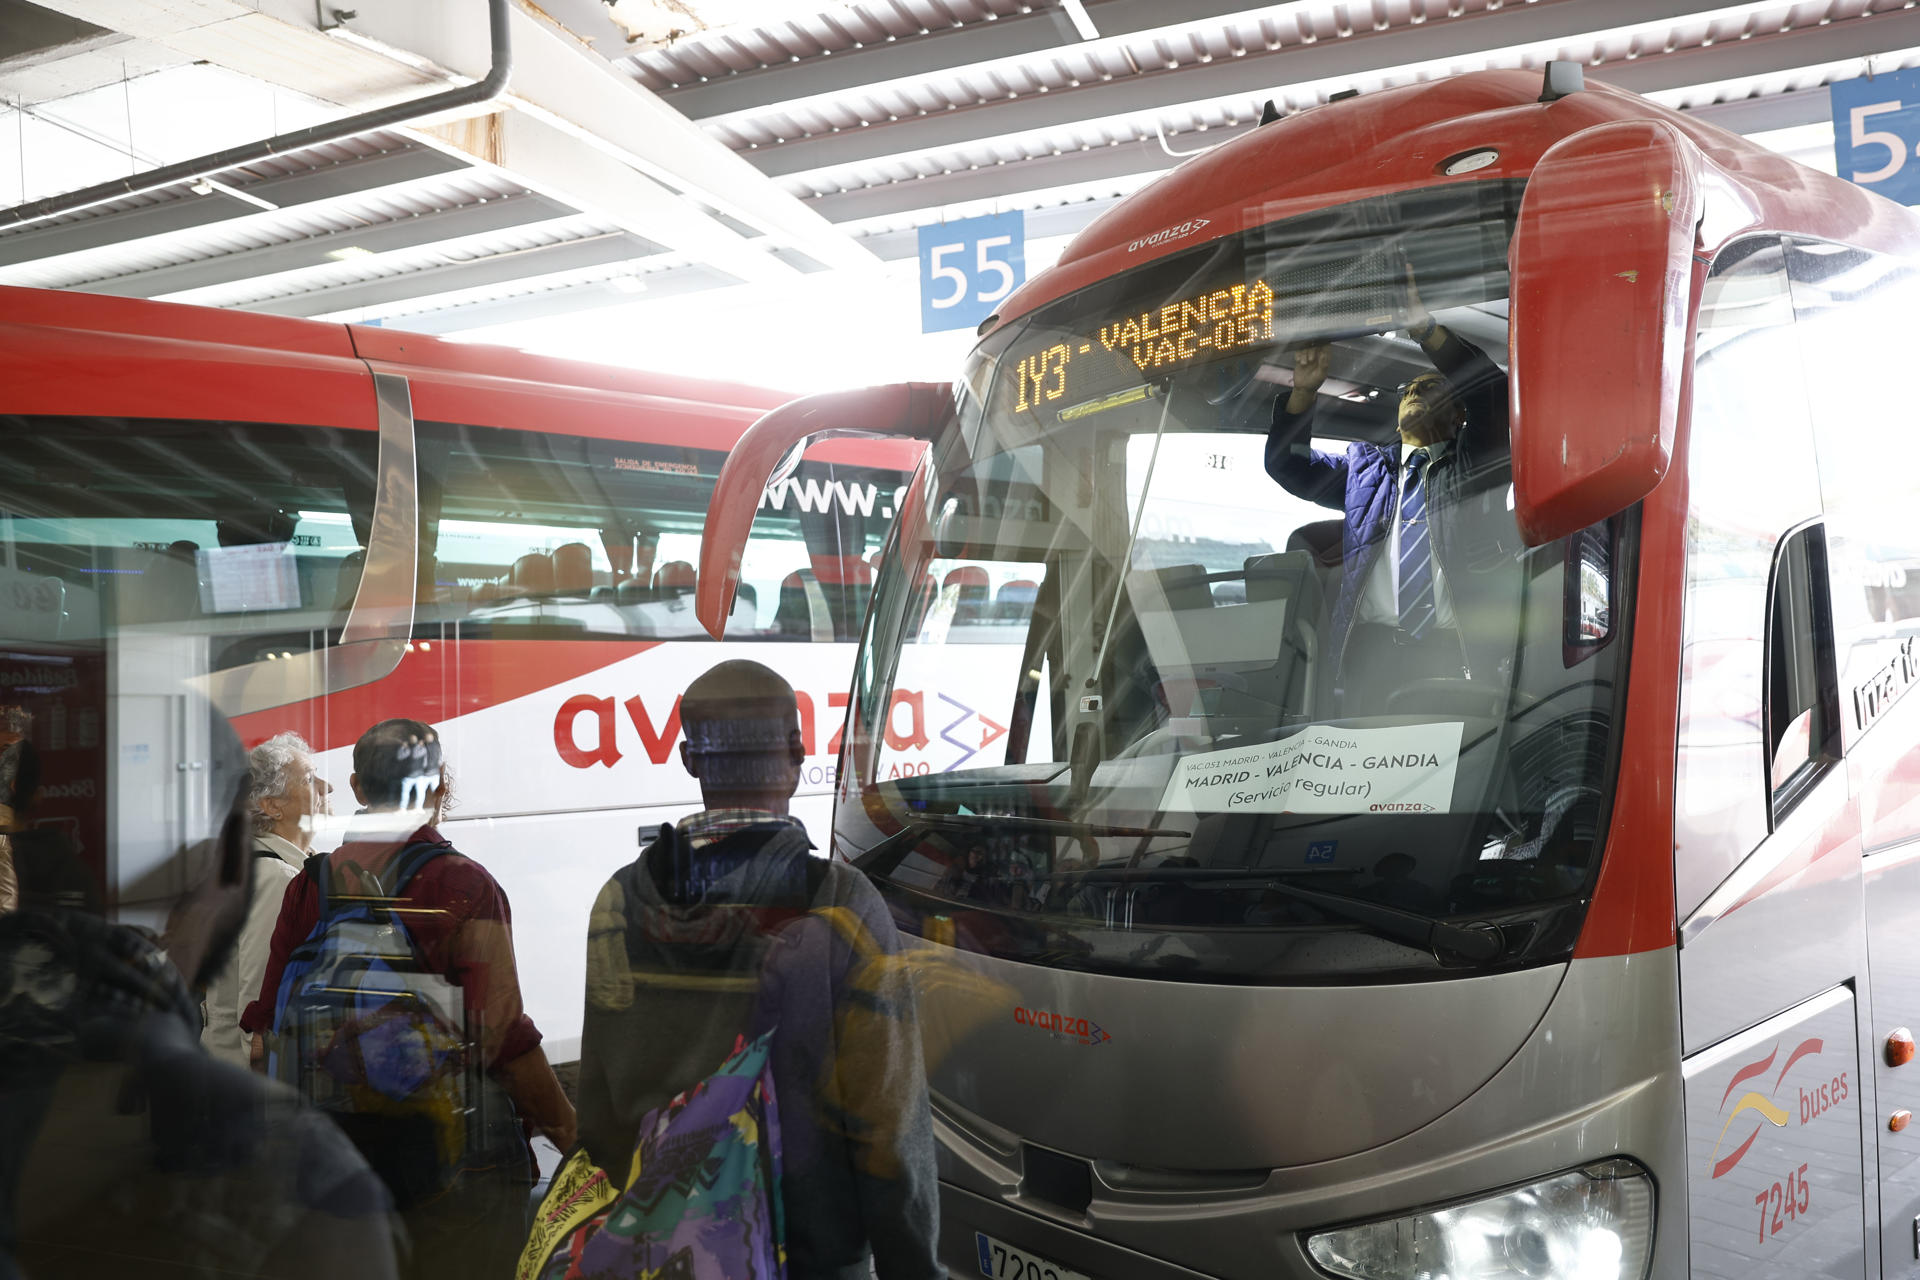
column 1767, row 868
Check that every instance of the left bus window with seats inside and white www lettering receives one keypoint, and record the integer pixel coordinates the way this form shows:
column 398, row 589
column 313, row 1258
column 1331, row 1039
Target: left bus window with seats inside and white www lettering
column 546, row 536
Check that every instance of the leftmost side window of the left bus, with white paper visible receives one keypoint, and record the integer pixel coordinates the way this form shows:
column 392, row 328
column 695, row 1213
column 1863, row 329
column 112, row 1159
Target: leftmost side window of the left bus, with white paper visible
column 249, row 534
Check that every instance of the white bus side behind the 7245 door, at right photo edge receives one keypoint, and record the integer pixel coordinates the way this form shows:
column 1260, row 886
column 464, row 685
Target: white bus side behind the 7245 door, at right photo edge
column 1852, row 314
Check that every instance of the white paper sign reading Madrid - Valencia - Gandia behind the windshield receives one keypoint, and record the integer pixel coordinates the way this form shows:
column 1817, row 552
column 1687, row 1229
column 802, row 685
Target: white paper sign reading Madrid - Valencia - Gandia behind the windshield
column 1397, row 770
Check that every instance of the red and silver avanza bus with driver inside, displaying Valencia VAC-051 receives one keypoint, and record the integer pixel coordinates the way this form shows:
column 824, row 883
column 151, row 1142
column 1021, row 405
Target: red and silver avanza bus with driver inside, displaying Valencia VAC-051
column 1255, row 959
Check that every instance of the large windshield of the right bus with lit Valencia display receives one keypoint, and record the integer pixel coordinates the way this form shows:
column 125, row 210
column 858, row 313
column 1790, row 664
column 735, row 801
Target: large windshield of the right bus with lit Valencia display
column 1253, row 692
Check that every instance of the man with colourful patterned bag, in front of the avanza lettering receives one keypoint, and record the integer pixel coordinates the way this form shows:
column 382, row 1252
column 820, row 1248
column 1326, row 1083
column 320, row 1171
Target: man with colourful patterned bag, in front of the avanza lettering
column 752, row 1091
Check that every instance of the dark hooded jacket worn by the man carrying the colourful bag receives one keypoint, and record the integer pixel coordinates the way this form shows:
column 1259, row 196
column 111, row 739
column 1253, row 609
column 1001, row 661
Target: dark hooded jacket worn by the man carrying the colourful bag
column 690, row 949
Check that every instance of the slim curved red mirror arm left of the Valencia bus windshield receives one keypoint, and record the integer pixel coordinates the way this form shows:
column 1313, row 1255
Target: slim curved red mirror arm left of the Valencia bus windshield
column 773, row 448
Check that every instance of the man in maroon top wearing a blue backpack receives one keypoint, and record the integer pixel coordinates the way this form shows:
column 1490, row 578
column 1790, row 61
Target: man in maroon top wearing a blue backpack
column 393, row 1003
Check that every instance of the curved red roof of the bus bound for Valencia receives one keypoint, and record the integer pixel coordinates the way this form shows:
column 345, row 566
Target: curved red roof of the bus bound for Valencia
column 1401, row 139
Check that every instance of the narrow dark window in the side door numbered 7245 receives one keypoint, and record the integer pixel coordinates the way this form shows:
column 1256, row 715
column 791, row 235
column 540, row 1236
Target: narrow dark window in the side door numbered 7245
column 1802, row 694
